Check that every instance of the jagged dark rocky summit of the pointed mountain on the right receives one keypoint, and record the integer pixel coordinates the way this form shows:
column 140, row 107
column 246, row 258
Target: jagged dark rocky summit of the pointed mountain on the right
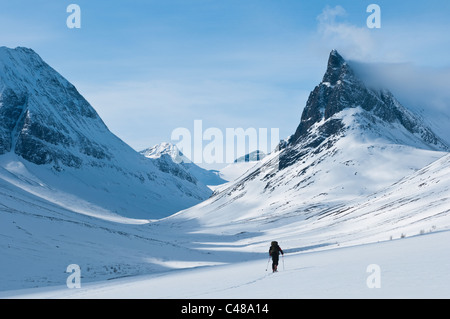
column 379, row 111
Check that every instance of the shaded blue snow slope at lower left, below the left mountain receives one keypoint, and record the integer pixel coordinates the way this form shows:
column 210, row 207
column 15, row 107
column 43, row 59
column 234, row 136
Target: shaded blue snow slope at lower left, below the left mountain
column 39, row 239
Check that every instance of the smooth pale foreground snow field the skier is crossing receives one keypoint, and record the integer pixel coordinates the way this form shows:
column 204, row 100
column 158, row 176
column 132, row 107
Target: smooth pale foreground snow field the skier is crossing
column 415, row 267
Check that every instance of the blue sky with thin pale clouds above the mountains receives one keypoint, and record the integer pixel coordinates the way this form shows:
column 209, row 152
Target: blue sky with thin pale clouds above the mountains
column 149, row 67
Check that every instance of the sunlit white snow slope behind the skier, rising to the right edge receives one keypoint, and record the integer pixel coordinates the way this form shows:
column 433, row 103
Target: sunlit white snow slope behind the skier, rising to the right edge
column 417, row 204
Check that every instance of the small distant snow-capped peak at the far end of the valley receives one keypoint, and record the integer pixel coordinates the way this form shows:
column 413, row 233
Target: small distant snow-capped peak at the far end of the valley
column 169, row 158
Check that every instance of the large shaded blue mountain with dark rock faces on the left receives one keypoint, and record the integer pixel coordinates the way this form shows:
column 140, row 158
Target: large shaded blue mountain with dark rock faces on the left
column 54, row 135
